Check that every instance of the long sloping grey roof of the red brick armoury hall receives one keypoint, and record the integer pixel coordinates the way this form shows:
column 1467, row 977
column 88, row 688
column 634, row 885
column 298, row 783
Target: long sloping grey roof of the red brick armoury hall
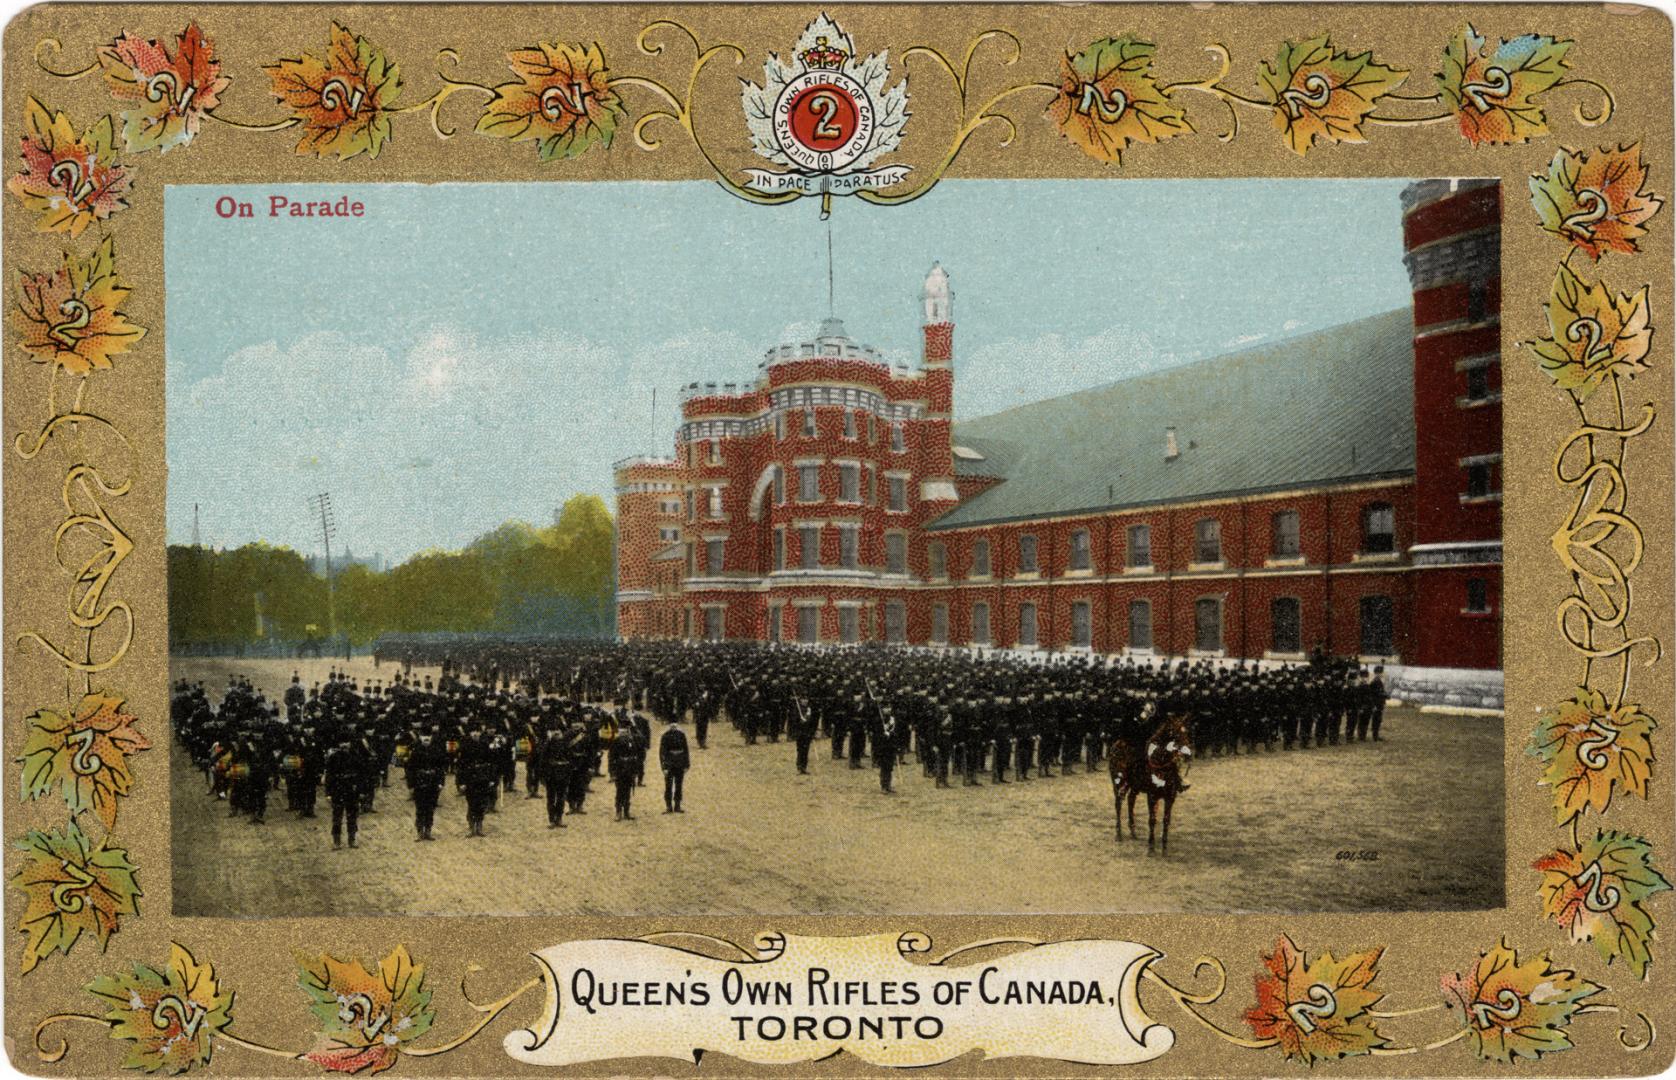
column 1328, row 407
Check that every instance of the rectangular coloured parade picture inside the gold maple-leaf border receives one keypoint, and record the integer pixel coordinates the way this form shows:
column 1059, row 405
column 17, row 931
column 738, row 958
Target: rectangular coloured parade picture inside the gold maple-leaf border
column 1152, row 589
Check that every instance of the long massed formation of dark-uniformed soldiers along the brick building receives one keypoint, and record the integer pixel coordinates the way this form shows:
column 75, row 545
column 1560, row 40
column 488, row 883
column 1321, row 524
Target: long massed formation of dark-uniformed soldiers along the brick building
column 956, row 714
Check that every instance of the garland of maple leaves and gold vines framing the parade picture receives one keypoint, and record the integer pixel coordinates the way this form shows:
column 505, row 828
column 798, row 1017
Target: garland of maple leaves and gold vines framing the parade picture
column 341, row 95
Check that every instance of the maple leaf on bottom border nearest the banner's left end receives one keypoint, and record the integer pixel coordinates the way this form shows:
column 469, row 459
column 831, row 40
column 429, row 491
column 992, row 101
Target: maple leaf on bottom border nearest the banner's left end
column 366, row 1017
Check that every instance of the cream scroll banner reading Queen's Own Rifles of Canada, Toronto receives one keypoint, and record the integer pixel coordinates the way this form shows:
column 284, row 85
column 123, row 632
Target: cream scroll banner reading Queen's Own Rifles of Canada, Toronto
column 805, row 999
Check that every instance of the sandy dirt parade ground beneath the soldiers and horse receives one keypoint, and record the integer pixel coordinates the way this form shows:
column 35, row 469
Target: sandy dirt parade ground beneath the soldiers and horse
column 1353, row 828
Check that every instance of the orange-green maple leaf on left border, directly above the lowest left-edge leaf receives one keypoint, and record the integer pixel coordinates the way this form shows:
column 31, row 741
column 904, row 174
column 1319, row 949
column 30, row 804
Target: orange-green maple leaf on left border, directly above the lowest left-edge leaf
column 85, row 755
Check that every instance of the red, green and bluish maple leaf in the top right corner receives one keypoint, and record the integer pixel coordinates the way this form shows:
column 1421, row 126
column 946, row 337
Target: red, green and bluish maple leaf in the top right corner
column 1492, row 91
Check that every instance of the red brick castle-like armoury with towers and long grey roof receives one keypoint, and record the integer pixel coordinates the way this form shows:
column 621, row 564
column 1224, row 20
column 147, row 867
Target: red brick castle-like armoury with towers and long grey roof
column 1340, row 489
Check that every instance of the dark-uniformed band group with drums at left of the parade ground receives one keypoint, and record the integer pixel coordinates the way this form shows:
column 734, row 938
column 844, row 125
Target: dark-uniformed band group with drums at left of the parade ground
column 344, row 740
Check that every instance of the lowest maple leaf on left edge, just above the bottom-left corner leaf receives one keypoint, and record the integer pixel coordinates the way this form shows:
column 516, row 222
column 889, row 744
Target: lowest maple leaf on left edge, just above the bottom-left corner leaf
column 73, row 888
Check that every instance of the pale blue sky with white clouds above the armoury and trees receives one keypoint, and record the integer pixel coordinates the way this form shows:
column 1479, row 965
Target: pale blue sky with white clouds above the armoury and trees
column 467, row 355
